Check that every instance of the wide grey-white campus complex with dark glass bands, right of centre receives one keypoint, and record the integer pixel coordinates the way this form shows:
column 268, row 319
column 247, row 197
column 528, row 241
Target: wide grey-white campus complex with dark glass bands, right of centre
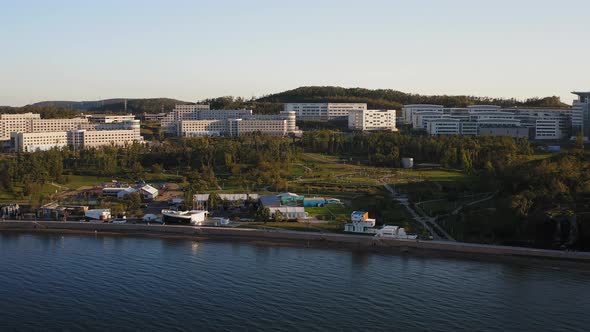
column 534, row 123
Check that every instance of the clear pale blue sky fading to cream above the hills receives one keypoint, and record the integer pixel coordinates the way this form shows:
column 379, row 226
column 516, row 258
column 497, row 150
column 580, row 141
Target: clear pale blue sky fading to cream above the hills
column 191, row 50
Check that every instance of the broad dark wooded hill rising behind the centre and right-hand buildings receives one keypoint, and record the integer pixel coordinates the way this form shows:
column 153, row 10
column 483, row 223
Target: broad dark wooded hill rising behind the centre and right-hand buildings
column 392, row 99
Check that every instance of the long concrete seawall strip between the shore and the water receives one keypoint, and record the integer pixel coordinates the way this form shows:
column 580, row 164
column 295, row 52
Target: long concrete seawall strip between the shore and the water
column 310, row 239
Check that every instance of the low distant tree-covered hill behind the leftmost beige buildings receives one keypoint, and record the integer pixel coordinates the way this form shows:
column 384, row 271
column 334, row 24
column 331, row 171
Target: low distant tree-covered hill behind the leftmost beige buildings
column 117, row 105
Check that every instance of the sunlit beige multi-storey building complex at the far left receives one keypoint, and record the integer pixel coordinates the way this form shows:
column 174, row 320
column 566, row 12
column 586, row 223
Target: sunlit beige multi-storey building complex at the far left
column 28, row 132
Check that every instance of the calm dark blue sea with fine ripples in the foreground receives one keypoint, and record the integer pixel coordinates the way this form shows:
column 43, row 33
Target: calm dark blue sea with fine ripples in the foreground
column 76, row 282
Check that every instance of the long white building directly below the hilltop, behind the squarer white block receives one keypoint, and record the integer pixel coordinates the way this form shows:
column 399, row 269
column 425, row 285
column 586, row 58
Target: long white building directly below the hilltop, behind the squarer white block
column 323, row 111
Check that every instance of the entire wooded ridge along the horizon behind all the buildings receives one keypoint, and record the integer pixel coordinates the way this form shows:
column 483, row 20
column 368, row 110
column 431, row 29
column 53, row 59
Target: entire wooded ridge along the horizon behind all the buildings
column 376, row 99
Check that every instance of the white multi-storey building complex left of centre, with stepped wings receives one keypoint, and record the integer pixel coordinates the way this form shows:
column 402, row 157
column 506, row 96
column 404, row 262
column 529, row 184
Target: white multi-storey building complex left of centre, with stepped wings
column 205, row 122
